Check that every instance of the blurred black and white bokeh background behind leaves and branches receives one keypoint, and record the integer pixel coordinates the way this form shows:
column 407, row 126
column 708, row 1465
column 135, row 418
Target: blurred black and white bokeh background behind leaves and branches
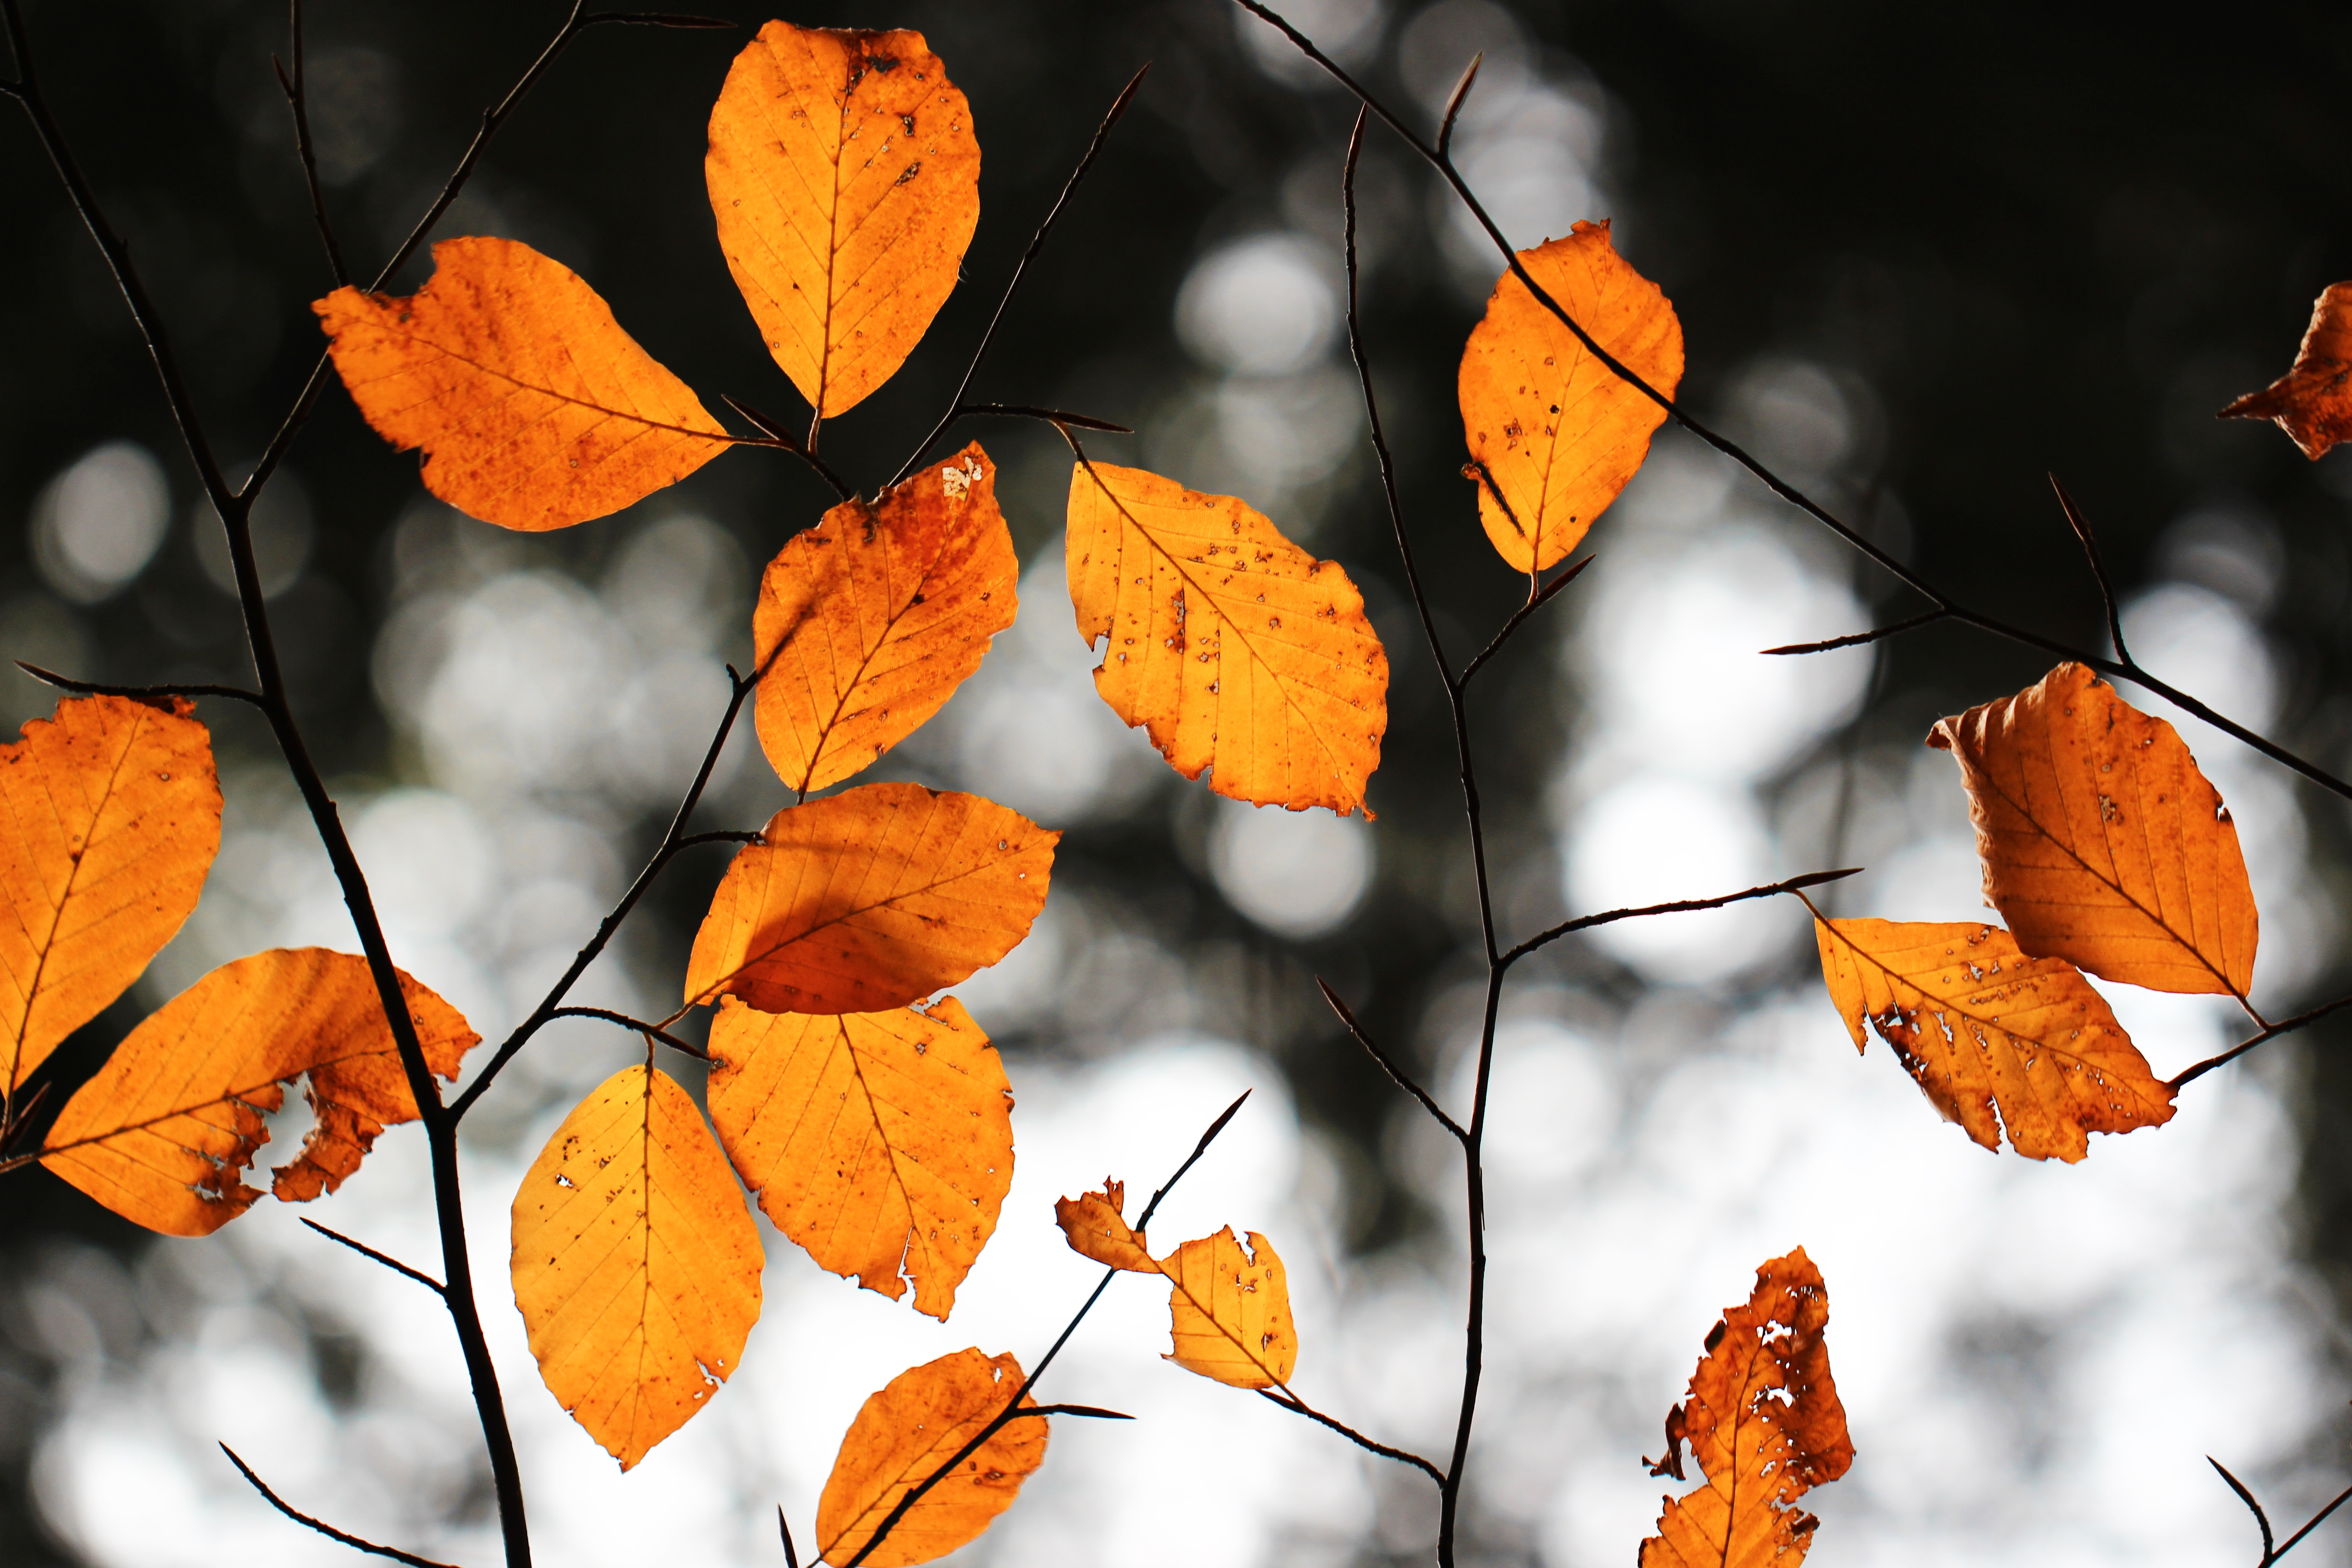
column 1923, row 257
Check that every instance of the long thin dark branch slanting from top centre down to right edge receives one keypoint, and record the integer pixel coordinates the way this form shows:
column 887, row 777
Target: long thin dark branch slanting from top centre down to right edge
column 1739, row 455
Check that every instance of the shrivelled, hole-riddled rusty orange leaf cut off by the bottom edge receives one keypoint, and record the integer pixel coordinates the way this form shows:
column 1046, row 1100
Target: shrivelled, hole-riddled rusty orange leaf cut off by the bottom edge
column 1765, row 1426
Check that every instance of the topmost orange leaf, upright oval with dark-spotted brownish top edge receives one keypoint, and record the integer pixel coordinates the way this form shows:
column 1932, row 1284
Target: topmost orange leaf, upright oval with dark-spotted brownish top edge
column 846, row 182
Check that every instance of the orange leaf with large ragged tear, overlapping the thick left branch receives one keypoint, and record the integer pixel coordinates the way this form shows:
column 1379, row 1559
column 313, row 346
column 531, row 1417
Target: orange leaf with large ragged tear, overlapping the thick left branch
column 173, row 1120
